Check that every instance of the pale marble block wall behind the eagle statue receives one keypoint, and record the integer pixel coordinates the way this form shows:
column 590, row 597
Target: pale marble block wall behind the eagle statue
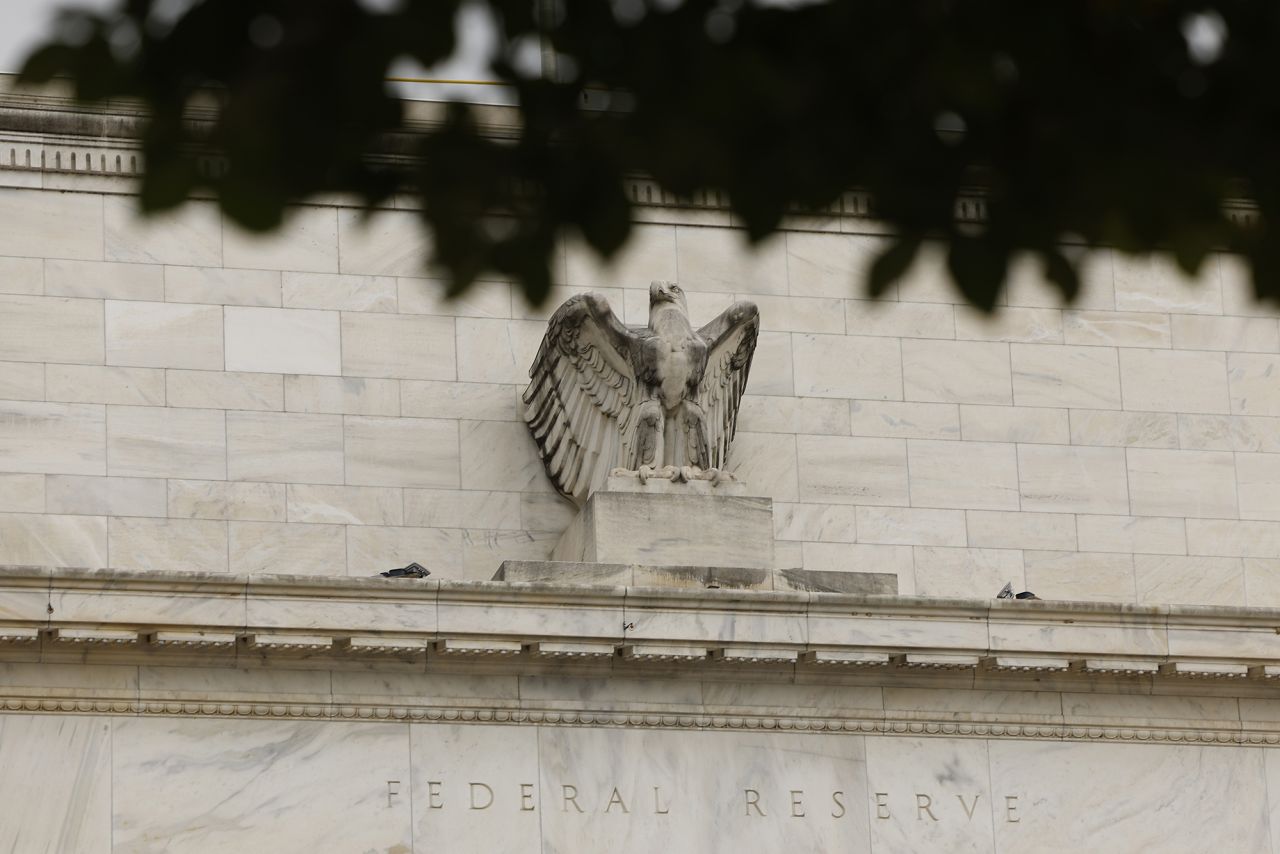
column 179, row 395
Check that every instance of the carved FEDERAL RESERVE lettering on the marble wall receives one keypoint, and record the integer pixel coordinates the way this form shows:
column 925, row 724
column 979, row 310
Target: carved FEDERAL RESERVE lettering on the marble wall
column 760, row 802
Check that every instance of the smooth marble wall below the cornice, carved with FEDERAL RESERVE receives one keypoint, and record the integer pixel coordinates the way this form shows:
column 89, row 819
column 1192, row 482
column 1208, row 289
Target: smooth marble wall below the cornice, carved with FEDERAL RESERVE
column 175, row 786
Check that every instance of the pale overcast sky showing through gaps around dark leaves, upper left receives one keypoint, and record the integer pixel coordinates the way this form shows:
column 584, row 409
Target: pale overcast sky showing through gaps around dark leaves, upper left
column 25, row 24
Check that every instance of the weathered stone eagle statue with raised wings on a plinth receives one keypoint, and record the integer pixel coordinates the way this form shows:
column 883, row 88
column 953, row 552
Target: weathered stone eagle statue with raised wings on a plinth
column 652, row 401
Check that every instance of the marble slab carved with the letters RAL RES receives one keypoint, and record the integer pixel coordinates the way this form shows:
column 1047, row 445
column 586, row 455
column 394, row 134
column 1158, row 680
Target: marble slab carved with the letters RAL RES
column 633, row 792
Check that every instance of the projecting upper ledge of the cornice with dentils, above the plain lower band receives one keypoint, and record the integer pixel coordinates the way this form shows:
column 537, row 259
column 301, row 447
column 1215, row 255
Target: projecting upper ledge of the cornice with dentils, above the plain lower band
column 58, row 613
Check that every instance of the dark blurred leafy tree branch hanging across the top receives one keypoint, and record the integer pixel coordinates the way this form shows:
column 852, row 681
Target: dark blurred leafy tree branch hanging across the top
column 1128, row 124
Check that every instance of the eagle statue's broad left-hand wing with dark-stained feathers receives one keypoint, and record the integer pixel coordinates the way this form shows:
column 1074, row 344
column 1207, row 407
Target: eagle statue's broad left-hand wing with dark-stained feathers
column 582, row 392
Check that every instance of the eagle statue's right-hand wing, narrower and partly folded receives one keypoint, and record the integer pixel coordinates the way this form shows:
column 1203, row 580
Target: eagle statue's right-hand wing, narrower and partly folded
column 730, row 346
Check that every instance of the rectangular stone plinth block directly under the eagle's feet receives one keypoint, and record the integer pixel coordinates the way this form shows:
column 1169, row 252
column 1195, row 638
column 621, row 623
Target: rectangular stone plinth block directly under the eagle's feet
column 671, row 529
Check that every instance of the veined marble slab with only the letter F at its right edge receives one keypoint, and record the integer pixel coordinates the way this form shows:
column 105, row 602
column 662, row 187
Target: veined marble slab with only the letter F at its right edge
column 260, row 787
